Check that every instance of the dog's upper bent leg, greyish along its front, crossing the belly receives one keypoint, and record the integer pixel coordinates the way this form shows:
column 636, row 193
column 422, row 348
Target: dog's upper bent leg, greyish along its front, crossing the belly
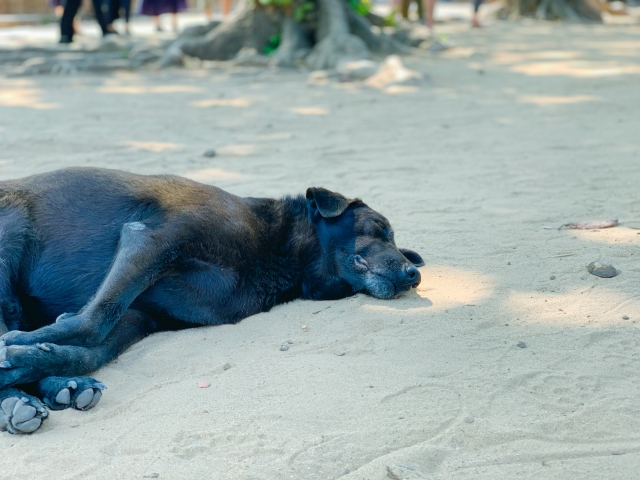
column 143, row 256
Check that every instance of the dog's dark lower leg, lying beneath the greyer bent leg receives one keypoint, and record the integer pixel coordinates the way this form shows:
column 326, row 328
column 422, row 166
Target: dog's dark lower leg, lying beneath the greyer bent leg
column 21, row 364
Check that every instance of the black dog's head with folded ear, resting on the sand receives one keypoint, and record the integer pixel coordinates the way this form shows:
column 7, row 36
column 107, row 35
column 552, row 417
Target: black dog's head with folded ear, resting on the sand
column 358, row 246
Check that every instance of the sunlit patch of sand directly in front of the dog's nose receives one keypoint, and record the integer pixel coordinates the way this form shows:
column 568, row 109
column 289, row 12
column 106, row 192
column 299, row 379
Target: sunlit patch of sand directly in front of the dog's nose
column 448, row 287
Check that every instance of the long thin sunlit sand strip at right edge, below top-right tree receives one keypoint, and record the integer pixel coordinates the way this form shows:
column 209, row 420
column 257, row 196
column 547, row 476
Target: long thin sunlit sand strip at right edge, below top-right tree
column 576, row 69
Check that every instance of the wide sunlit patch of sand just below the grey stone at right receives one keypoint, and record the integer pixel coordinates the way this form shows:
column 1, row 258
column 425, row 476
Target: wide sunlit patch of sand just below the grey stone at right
column 589, row 307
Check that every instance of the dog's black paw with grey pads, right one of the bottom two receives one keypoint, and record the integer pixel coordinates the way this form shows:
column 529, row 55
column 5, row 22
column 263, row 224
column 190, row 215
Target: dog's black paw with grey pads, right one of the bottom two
column 81, row 393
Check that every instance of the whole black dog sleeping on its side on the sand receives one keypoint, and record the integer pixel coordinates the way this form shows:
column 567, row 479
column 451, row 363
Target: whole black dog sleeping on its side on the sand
column 129, row 255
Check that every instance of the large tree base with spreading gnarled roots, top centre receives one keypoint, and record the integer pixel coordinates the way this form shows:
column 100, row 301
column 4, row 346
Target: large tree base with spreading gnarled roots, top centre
column 334, row 34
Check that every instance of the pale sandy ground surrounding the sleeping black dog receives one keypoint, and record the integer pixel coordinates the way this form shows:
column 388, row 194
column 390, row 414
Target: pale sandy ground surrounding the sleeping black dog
column 523, row 126
